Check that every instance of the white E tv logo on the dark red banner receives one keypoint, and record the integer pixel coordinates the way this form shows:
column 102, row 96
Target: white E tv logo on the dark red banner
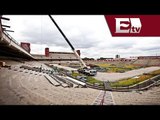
column 128, row 25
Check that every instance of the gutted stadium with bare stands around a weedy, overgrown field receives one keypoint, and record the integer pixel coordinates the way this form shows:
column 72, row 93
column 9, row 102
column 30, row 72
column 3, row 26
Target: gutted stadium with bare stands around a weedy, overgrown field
column 54, row 78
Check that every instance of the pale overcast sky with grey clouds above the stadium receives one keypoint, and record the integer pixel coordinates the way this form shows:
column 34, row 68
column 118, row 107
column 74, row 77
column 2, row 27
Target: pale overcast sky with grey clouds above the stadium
column 88, row 33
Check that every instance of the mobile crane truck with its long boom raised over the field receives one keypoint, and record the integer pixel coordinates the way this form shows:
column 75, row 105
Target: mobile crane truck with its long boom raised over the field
column 84, row 69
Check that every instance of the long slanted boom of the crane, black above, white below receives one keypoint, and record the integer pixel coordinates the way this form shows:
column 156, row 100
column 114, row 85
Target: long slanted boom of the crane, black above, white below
column 73, row 49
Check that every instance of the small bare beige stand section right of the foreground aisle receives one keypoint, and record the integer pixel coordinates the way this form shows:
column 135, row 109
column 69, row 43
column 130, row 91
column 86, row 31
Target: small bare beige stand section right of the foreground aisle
column 149, row 97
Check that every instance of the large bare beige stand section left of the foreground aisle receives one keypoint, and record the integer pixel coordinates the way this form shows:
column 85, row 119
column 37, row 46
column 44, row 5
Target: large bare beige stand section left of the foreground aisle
column 20, row 88
